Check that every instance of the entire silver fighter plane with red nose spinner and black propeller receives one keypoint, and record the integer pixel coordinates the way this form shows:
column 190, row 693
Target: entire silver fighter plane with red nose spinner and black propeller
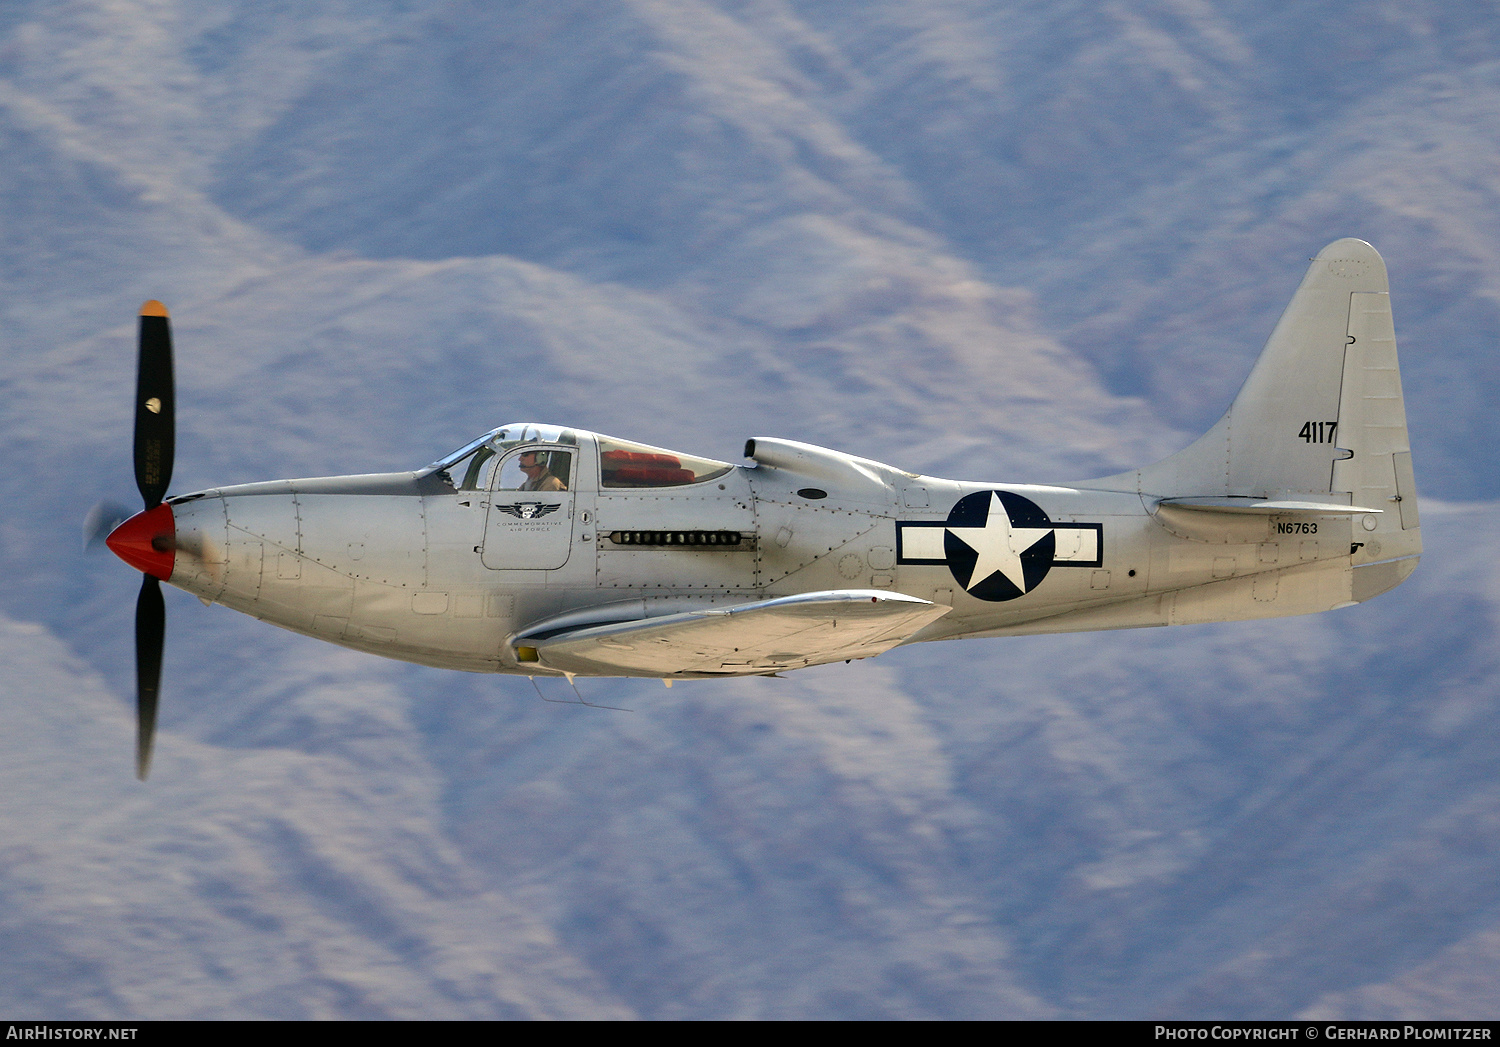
column 539, row 550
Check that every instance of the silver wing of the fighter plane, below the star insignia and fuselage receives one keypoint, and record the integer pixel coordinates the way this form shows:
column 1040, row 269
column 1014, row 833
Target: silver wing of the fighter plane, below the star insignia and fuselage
column 743, row 640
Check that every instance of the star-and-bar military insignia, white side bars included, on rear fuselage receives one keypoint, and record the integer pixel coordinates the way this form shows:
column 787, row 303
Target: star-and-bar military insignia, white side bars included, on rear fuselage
column 1000, row 545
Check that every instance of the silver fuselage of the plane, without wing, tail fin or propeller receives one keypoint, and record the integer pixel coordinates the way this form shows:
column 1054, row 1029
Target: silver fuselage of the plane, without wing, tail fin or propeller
column 457, row 565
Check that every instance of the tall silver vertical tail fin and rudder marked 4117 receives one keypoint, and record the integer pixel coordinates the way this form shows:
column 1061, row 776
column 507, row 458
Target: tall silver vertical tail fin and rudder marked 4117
column 1321, row 418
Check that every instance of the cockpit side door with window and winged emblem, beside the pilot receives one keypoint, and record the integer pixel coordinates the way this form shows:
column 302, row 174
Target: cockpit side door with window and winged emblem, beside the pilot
column 530, row 520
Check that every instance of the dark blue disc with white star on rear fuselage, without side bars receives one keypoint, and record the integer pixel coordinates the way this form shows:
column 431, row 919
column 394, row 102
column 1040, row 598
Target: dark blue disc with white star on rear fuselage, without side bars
column 1000, row 545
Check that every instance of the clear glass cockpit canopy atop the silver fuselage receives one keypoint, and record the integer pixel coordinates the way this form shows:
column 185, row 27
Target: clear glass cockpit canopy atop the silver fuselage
column 622, row 464
